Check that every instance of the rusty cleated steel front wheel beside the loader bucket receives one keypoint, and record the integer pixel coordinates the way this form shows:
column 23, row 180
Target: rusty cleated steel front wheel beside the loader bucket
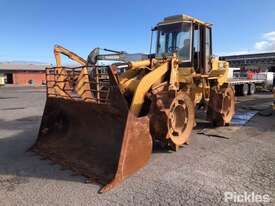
column 172, row 118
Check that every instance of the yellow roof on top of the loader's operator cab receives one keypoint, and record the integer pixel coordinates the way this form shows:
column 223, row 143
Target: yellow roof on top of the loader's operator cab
column 181, row 18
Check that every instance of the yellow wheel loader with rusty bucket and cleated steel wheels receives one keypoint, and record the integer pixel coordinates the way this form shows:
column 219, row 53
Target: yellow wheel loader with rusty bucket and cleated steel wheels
column 101, row 121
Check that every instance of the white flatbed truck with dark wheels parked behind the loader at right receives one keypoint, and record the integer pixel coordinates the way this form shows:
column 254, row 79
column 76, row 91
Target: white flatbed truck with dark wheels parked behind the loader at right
column 244, row 86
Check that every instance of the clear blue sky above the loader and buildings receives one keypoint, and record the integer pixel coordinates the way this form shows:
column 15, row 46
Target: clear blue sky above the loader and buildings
column 30, row 28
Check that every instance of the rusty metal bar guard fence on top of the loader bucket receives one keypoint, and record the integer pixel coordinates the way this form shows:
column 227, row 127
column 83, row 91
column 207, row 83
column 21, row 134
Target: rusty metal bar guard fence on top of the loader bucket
column 91, row 84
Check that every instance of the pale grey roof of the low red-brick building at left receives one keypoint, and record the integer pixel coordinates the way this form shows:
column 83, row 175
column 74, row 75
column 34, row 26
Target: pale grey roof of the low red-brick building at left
column 22, row 67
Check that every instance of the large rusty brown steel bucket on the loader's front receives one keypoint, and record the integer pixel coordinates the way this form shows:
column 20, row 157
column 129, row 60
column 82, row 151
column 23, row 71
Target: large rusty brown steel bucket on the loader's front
column 98, row 139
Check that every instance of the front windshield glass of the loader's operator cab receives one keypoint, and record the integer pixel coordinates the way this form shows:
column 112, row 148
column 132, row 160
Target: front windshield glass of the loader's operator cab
column 175, row 38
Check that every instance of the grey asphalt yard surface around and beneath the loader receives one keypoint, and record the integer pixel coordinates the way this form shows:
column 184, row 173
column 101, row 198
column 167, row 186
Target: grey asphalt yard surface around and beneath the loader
column 240, row 159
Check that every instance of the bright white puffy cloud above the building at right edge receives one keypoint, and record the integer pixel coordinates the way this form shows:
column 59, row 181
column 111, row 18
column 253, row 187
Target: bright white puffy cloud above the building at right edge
column 267, row 44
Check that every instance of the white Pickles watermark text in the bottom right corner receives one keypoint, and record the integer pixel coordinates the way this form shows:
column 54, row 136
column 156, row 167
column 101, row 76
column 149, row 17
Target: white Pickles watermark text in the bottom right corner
column 246, row 197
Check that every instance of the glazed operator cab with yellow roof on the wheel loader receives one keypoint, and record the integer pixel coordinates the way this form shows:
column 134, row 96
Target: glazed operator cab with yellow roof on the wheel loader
column 189, row 38
